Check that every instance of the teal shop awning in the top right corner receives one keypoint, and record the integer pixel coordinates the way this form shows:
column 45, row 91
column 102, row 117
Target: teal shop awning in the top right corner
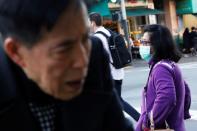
column 186, row 6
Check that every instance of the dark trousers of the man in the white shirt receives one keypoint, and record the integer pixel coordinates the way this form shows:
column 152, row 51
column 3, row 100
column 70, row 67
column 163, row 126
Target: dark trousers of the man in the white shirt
column 126, row 106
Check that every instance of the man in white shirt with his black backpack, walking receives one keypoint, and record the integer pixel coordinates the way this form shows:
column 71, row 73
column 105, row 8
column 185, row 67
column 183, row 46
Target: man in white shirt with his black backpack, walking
column 108, row 38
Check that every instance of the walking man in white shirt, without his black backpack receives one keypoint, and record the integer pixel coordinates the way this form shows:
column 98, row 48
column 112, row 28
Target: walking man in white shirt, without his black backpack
column 117, row 74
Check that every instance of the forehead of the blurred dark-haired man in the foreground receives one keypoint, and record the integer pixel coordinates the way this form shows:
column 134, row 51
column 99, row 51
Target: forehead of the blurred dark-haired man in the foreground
column 72, row 23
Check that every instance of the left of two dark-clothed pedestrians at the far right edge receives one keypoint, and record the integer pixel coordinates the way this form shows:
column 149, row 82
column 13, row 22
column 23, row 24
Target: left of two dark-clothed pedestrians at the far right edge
column 186, row 40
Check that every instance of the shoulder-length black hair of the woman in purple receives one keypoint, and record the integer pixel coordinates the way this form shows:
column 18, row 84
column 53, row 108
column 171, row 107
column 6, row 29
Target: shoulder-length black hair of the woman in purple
column 163, row 43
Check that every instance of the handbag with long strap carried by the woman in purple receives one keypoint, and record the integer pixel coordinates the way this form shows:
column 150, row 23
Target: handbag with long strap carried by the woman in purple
column 152, row 125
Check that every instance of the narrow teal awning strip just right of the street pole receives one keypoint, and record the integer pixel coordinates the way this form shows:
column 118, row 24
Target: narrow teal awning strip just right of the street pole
column 143, row 12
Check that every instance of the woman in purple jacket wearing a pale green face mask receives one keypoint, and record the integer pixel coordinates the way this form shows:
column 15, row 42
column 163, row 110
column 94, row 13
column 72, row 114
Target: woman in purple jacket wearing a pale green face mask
column 166, row 96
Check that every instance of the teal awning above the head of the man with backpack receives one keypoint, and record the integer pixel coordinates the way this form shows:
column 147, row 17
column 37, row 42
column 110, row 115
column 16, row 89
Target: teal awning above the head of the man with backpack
column 102, row 8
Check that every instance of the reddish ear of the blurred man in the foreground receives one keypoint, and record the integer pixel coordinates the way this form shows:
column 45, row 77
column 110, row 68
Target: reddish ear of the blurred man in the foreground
column 12, row 48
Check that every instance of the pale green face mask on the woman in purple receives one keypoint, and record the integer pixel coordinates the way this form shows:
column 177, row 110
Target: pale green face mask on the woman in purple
column 145, row 52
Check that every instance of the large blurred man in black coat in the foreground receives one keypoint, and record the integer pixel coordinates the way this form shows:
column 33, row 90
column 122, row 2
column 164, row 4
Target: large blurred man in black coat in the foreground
column 50, row 77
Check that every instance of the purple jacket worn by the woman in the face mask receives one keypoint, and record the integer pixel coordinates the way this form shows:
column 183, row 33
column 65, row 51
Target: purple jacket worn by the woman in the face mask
column 168, row 97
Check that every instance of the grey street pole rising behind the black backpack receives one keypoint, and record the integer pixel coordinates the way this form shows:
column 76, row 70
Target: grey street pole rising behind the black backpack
column 125, row 25
